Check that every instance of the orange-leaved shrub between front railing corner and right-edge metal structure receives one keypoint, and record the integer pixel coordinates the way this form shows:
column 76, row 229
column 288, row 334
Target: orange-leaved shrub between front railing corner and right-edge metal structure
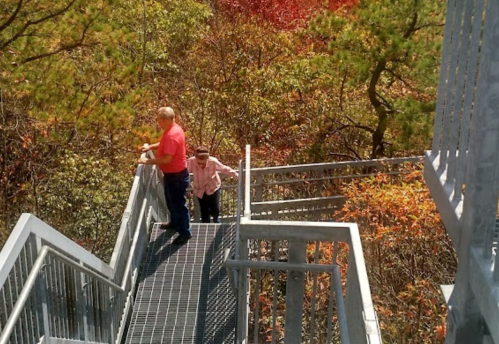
column 407, row 252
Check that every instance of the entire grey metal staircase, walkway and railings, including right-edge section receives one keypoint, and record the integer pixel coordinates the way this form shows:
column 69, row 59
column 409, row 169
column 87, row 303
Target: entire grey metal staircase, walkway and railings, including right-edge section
column 53, row 291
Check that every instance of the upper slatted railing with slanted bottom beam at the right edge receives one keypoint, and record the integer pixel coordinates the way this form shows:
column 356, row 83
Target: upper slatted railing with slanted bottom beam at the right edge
column 462, row 120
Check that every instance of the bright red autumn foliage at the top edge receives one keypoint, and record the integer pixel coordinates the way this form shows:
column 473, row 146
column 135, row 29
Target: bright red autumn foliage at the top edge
column 285, row 14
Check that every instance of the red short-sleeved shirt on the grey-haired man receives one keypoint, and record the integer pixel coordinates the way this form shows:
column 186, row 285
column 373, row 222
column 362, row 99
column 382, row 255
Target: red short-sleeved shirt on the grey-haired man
column 173, row 143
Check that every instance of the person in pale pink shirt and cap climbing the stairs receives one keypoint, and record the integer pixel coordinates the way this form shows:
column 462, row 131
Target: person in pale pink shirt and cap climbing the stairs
column 207, row 183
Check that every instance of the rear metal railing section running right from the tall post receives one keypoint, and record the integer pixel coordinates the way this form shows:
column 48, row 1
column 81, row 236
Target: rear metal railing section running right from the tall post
column 313, row 191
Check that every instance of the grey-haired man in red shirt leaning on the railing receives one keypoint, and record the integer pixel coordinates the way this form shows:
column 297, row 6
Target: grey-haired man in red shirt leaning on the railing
column 171, row 159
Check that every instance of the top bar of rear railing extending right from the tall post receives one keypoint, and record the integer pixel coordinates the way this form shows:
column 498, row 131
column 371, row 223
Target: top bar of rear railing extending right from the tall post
column 331, row 165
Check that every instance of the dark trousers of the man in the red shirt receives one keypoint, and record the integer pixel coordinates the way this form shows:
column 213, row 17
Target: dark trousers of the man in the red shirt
column 175, row 189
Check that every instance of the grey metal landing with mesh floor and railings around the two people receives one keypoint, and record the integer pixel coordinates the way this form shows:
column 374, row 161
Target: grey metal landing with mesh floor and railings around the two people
column 53, row 291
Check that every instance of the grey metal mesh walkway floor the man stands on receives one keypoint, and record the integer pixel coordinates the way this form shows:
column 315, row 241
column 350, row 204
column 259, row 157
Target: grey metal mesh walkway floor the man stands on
column 184, row 294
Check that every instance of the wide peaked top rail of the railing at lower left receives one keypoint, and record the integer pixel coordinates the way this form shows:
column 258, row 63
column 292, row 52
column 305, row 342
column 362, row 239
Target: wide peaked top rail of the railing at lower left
column 28, row 224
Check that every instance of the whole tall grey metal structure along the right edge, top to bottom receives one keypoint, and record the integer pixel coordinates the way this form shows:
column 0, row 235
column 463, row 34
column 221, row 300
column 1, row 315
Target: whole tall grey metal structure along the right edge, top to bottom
column 461, row 169
